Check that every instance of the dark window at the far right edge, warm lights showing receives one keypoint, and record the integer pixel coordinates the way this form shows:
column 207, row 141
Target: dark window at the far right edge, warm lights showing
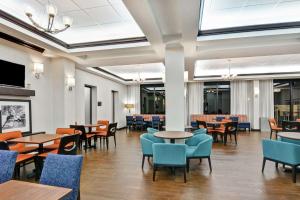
column 287, row 99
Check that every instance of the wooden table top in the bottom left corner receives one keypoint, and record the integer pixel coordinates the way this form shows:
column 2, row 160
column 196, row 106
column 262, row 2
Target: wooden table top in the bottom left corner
column 19, row 190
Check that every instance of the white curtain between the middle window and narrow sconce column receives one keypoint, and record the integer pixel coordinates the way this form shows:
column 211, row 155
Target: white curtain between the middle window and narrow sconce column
column 242, row 98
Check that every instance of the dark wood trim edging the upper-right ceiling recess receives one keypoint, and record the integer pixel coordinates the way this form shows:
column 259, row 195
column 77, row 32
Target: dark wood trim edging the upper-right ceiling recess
column 251, row 28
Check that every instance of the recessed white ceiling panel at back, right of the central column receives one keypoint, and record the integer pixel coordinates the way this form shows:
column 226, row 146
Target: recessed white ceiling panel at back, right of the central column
column 249, row 65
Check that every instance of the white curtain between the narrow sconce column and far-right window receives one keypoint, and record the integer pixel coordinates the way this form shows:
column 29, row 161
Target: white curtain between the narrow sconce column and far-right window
column 266, row 98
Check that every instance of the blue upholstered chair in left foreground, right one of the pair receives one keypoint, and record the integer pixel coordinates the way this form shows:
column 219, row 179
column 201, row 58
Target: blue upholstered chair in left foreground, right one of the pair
column 63, row 171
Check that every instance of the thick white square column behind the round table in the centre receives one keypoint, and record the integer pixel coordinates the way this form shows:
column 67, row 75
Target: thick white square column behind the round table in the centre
column 174, row 86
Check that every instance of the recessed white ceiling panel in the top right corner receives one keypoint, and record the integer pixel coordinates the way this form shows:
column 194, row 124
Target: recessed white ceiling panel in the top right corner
column 234, row 13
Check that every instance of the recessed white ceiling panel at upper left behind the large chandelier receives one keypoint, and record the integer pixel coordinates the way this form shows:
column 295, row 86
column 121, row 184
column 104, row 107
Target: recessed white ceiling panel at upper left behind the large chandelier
column 93, row 20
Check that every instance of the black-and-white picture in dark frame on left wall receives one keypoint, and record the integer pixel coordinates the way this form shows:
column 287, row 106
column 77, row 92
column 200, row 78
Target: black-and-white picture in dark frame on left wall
column 15, row 115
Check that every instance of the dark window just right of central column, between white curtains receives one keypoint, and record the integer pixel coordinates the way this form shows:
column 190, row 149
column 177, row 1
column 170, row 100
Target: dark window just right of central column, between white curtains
column 217, row 98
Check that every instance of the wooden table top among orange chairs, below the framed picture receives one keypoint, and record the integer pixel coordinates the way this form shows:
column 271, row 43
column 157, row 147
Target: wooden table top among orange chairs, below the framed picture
column 37, row 139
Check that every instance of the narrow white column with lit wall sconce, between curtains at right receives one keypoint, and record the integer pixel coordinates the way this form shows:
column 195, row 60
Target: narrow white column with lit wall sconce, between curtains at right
column 256, row 104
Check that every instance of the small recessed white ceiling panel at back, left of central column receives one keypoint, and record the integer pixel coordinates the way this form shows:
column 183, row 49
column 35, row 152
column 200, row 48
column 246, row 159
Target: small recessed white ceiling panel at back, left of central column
column 149, row 70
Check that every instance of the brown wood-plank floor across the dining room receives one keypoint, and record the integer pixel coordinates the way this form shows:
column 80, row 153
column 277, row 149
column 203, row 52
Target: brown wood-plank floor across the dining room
column 117, row 174
